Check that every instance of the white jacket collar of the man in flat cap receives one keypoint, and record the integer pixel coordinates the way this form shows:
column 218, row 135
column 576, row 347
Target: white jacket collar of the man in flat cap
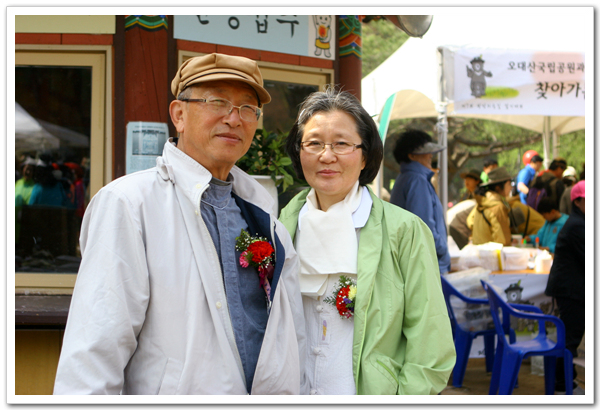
column 181, row 169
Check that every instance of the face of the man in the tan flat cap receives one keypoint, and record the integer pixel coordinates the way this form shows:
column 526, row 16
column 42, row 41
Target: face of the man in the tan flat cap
column 215, row 141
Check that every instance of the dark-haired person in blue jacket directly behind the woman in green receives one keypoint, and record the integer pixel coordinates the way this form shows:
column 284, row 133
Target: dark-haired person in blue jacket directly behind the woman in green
column 414, row 192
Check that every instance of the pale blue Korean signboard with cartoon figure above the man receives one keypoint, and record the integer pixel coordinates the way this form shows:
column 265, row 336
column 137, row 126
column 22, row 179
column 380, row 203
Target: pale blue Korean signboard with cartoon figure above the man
column 311, row 36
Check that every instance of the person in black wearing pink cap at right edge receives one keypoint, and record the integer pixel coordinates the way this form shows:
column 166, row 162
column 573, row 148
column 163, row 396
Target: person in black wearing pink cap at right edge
column 566, row 282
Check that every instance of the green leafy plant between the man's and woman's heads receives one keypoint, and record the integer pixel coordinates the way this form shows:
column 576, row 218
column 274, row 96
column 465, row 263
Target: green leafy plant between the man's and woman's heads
column 267, row 156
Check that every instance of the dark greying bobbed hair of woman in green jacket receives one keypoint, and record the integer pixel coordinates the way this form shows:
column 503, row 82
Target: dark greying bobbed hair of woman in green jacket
column 332, row 100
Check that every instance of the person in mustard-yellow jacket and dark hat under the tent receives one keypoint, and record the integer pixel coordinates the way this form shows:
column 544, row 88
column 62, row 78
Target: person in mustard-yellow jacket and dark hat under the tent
column 490, row 219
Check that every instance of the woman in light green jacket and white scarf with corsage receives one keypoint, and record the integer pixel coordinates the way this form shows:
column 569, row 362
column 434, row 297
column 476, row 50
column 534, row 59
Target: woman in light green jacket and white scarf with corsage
column 375, row 313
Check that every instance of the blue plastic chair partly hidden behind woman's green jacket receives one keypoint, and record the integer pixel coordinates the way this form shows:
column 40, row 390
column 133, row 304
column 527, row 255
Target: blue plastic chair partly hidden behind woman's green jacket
column 463, row 339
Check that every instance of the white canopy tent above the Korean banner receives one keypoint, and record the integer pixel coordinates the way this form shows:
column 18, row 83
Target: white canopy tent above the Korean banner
column 407, row 84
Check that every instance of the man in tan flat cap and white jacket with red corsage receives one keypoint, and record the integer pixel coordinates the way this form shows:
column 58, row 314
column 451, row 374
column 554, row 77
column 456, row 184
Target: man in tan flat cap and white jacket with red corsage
column 165, row 300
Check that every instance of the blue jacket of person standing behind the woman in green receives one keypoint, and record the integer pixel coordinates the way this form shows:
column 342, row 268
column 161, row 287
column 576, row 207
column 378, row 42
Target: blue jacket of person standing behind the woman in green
column 413, row 191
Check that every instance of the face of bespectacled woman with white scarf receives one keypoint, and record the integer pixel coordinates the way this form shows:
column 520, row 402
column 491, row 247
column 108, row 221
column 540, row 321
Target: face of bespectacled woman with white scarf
column 331, row 175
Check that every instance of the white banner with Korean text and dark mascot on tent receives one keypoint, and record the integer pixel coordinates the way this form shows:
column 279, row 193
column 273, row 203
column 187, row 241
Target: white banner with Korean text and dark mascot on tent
column 514, row 82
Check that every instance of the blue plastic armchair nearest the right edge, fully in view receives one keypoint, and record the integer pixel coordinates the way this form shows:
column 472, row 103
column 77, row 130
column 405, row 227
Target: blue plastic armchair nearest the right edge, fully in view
column 509, row 356
